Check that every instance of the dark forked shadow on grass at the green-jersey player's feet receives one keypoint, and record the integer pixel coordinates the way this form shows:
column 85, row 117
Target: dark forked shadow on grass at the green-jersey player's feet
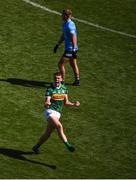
column 17, row 154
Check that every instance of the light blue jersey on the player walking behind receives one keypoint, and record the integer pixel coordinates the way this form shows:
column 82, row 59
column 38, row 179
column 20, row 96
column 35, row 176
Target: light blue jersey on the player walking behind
column 69, row 29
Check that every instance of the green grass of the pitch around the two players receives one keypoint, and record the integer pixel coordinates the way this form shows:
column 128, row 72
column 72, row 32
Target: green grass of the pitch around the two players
column 103, row 129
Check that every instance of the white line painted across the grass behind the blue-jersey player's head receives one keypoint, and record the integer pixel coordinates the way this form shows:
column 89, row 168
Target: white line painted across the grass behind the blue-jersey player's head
column 80, row 20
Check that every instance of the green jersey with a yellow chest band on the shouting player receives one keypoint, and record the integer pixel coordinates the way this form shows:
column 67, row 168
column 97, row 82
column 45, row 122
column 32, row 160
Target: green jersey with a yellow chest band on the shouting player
column 57, row 95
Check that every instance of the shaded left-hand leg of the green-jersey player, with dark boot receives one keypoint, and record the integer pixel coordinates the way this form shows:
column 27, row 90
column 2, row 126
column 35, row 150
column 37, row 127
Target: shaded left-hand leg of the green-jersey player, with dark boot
column 44, row 137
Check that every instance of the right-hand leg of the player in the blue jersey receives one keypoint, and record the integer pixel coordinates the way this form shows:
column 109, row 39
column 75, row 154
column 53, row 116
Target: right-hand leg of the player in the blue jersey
column 73, row 63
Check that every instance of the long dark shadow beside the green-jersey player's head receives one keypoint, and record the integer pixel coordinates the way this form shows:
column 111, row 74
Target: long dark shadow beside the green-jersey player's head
column 27, row 83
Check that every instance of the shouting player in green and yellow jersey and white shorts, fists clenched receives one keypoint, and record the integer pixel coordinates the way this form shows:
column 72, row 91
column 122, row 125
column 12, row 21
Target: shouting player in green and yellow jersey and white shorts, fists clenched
column 56, row 96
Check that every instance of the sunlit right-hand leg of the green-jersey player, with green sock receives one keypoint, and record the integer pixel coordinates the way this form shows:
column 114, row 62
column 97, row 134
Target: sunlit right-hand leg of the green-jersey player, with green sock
column 61, row 133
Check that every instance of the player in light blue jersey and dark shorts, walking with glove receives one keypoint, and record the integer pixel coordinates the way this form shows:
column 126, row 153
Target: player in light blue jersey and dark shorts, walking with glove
column 69, row 37
